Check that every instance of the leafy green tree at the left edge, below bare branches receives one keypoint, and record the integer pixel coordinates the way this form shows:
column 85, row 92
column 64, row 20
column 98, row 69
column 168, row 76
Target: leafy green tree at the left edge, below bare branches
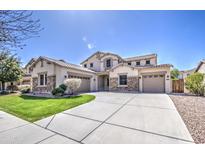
column 10, row 70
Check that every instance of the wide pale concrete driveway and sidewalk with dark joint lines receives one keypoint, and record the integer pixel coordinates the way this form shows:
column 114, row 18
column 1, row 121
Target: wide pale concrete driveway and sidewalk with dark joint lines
column 111, row 118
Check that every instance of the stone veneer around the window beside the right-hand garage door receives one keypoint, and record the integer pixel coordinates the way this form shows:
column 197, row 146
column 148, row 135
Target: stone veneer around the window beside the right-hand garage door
column 132, row 84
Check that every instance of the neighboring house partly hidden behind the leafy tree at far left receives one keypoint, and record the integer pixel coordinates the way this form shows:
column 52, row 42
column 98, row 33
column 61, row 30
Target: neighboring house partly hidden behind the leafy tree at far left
column 26, row 78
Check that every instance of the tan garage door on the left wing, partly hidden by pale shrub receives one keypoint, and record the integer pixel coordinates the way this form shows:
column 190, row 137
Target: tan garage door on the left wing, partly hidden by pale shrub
column 85, row 83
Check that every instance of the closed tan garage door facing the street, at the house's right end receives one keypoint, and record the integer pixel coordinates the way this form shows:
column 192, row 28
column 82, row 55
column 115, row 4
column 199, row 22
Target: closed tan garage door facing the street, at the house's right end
column 153, row 83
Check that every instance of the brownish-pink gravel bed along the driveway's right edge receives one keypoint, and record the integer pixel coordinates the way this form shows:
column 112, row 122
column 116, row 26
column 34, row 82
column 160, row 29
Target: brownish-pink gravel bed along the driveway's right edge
column 192, row 111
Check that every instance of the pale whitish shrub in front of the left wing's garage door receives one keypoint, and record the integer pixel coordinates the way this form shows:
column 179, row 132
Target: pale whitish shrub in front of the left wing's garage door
column 72, row 84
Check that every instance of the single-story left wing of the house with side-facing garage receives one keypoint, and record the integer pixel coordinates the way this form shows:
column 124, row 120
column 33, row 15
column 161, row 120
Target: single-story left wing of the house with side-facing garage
column 48, row 73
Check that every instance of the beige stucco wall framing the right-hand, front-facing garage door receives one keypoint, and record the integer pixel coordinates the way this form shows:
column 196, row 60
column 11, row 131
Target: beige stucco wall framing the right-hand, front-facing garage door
column 168, row 85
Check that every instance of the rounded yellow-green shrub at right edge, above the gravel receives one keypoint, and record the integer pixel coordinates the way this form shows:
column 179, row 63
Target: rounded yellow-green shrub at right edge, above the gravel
column 195, row 83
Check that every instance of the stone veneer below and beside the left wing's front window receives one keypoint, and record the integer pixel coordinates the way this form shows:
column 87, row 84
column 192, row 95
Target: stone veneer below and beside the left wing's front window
column 51, row 84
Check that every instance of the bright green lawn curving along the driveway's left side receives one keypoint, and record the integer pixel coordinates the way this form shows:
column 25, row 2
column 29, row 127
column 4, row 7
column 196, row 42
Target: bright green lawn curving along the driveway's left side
column 35, row 108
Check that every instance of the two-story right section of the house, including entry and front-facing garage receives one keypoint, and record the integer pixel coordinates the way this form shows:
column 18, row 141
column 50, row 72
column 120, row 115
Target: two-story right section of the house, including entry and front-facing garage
column 139, row 74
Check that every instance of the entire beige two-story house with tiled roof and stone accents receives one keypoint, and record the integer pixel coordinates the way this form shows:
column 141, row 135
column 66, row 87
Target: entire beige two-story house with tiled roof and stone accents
column 104, row 71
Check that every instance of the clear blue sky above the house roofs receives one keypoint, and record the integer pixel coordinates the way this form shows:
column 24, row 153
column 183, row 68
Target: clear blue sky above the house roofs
column 177, row 37
